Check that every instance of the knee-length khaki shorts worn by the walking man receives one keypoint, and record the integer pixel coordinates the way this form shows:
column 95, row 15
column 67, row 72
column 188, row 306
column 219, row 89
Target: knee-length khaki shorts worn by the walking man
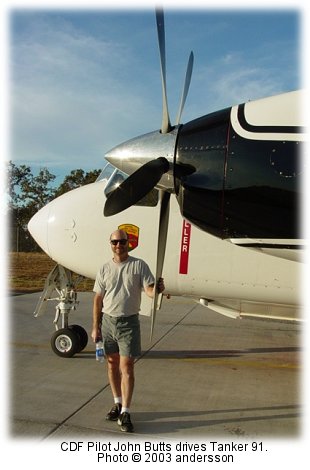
column 121, row 335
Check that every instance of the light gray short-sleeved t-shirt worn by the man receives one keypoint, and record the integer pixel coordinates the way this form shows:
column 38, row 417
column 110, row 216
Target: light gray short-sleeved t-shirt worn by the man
column 121, row 285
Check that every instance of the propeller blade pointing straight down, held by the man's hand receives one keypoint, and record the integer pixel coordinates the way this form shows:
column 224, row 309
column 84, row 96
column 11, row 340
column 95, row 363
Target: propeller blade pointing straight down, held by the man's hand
column 161, row 249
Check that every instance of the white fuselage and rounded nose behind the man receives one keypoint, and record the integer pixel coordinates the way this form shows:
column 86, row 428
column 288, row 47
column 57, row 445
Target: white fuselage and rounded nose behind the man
column 73, row 231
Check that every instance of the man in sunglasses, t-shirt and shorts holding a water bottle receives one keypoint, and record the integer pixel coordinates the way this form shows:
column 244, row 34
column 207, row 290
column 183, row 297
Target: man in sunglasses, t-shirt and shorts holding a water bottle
column 117, row 290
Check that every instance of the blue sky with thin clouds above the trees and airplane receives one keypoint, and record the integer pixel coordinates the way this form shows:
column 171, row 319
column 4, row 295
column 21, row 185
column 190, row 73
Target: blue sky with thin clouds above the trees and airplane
column 83, row 81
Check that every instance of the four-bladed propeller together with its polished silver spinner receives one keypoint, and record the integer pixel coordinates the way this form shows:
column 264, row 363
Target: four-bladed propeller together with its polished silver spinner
column 145, row 178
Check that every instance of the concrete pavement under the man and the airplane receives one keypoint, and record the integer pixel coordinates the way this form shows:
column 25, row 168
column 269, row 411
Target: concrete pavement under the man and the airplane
column 203, row 375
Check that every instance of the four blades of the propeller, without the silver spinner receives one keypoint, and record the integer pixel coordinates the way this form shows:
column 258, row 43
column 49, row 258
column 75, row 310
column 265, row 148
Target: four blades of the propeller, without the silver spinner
column 142, row 181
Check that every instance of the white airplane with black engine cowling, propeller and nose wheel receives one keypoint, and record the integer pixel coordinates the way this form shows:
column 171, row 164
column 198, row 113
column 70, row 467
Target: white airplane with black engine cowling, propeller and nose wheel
column 230, row 238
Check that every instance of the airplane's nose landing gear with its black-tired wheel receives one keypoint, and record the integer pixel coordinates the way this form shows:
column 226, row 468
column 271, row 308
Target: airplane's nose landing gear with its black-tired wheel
column 68, row 339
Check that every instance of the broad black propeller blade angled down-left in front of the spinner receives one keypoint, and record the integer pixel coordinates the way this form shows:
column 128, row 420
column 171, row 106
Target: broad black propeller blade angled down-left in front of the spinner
column 136, row 186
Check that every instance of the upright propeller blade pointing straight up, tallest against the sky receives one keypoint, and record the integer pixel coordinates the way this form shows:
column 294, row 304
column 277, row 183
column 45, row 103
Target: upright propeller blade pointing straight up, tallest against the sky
column 166, row 125
